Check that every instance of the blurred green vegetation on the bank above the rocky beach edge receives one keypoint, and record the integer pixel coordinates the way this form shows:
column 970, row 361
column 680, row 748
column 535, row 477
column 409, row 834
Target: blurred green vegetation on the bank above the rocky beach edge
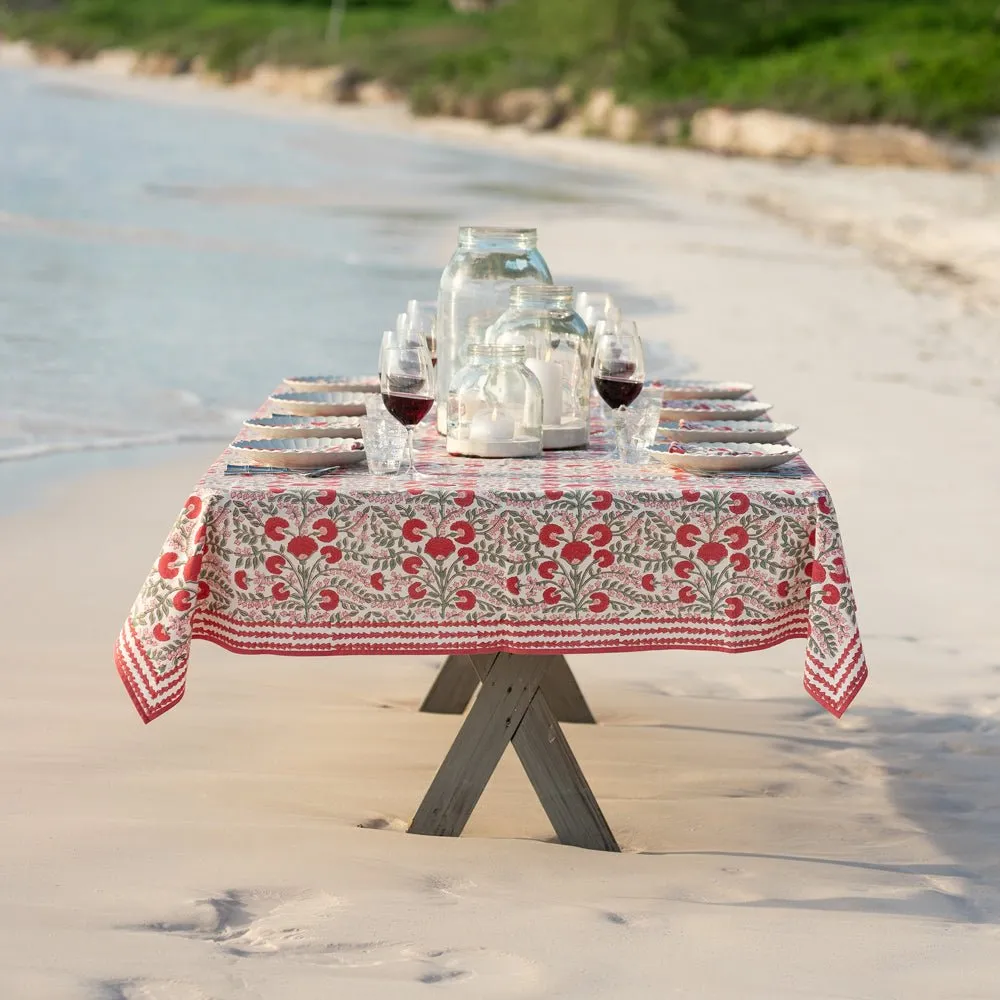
column 930, row 63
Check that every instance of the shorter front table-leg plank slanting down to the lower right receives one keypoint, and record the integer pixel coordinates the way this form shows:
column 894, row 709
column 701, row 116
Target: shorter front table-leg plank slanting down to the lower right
column 558, row 780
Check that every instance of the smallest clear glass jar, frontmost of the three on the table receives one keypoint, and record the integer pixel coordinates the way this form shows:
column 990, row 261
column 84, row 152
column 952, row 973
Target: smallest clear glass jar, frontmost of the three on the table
column 495, row 405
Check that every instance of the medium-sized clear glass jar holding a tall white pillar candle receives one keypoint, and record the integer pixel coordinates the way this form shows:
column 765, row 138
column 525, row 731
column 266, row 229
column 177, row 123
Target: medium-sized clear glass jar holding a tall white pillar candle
column 542, row 319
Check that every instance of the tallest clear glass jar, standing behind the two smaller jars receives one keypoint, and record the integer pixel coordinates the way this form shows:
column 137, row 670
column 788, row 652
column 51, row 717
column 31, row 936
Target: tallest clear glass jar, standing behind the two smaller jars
column 475, row 290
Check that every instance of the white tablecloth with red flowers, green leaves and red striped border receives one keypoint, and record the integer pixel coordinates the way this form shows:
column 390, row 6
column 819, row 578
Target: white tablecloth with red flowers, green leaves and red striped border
column 568, row 553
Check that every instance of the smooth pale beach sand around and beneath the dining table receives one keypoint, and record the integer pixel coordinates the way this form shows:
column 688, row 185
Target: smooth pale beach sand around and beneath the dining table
column 250, row 845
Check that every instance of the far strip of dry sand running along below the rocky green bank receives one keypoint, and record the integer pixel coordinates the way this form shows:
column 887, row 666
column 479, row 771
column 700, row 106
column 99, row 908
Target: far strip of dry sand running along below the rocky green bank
column 937, row 231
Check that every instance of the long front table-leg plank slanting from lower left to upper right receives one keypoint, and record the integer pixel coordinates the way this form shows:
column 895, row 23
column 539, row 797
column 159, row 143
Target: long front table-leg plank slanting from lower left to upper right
column 509, row 683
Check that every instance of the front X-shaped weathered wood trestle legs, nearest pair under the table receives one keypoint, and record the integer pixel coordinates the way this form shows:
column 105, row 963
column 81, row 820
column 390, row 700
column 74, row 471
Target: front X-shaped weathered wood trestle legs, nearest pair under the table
column 512, row 707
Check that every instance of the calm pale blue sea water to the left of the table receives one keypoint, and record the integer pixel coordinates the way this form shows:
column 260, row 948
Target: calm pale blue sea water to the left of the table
column 163, row 266
